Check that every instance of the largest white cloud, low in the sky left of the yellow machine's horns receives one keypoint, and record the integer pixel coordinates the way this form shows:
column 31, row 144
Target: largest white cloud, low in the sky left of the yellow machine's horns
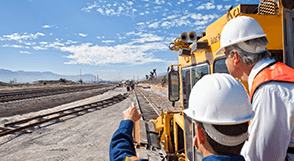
column 138, row 51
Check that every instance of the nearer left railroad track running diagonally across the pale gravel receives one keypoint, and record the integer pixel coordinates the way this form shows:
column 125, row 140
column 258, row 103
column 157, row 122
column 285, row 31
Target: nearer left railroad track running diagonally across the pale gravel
column 24, row 125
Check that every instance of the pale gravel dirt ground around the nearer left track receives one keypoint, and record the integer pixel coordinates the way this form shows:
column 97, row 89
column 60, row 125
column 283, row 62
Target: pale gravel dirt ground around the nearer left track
column 79, row 138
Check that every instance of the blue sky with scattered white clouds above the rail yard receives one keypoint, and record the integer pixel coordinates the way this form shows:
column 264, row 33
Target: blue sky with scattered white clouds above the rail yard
column 115, row 39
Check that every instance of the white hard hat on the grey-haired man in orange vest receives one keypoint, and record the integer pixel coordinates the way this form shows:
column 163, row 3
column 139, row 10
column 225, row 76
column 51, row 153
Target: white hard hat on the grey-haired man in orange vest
column 238, row 30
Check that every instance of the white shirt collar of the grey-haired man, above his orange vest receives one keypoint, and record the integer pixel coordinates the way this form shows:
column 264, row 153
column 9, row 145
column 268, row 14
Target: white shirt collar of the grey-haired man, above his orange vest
column 257, row 68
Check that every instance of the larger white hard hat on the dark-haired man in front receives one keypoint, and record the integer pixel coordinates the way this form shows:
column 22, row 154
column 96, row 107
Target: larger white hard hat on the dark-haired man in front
column 219, row 99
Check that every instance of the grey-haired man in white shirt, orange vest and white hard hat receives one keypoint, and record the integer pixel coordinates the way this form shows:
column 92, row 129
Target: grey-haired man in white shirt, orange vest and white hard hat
column 271, row 88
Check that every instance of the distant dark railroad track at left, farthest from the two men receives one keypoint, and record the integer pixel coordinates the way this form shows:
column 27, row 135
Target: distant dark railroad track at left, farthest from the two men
column 6, row 96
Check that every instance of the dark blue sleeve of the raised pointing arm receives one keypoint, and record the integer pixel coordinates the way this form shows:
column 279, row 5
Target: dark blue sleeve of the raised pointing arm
column 121, row 145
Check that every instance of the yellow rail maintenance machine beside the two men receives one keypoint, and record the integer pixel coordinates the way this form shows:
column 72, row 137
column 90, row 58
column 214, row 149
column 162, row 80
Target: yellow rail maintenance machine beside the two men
column 198, row 58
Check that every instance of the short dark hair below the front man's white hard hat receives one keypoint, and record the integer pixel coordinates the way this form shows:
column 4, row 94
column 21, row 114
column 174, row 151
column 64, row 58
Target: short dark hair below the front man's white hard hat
column 230, row 130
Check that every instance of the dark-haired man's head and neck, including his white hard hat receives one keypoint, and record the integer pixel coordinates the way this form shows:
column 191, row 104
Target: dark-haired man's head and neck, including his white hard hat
column 221, row 115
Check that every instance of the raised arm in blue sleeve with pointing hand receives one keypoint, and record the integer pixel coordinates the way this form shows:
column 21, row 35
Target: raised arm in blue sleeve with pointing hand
column 121, row 145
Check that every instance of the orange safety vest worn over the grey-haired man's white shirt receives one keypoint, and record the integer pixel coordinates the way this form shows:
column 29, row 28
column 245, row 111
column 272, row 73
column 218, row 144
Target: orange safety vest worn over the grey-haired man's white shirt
column 277, row 72
